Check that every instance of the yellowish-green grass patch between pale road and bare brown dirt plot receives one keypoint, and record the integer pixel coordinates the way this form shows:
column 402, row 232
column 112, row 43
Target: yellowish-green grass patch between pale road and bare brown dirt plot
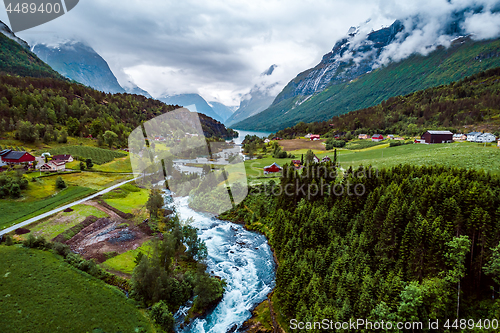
column 62, row 221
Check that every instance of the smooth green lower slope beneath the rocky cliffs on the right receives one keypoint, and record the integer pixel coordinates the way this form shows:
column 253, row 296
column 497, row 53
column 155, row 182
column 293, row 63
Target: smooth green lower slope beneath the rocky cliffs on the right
column 417, row 72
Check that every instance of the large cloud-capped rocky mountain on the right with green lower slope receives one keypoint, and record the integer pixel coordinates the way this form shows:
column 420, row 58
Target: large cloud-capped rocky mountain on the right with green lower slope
column 320, row 92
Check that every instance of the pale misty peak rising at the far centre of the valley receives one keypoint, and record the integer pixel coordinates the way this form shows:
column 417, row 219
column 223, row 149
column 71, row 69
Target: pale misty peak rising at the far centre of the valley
column 260, row 97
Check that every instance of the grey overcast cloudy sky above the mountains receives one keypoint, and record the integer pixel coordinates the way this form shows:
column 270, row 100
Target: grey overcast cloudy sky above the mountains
column 212, row 47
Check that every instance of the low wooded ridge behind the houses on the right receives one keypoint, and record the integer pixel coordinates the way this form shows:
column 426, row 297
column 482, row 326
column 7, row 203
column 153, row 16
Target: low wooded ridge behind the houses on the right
column 473, row 100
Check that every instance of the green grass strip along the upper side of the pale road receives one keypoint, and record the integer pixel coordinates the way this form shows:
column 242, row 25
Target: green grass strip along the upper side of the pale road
column 15, row 211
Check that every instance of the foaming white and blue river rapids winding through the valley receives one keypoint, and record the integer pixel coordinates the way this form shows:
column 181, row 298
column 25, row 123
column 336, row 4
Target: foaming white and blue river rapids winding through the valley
column 242, row 258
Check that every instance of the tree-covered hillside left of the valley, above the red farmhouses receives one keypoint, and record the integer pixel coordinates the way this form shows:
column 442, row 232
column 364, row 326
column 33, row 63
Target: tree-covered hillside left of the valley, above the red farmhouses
column 84, row 111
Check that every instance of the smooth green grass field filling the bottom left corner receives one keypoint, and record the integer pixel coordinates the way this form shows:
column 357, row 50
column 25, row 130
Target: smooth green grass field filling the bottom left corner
column 40, row 293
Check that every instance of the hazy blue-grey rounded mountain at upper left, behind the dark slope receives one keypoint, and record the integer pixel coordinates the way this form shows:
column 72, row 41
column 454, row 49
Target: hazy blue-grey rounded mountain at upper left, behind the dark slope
column 81, row 63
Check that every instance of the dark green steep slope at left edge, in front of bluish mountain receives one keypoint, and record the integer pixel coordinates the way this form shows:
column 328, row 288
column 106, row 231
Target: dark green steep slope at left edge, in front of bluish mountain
column 17, row 59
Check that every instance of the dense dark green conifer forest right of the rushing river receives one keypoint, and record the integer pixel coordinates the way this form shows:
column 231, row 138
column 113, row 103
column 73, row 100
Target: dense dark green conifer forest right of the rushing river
column 382, row 255
